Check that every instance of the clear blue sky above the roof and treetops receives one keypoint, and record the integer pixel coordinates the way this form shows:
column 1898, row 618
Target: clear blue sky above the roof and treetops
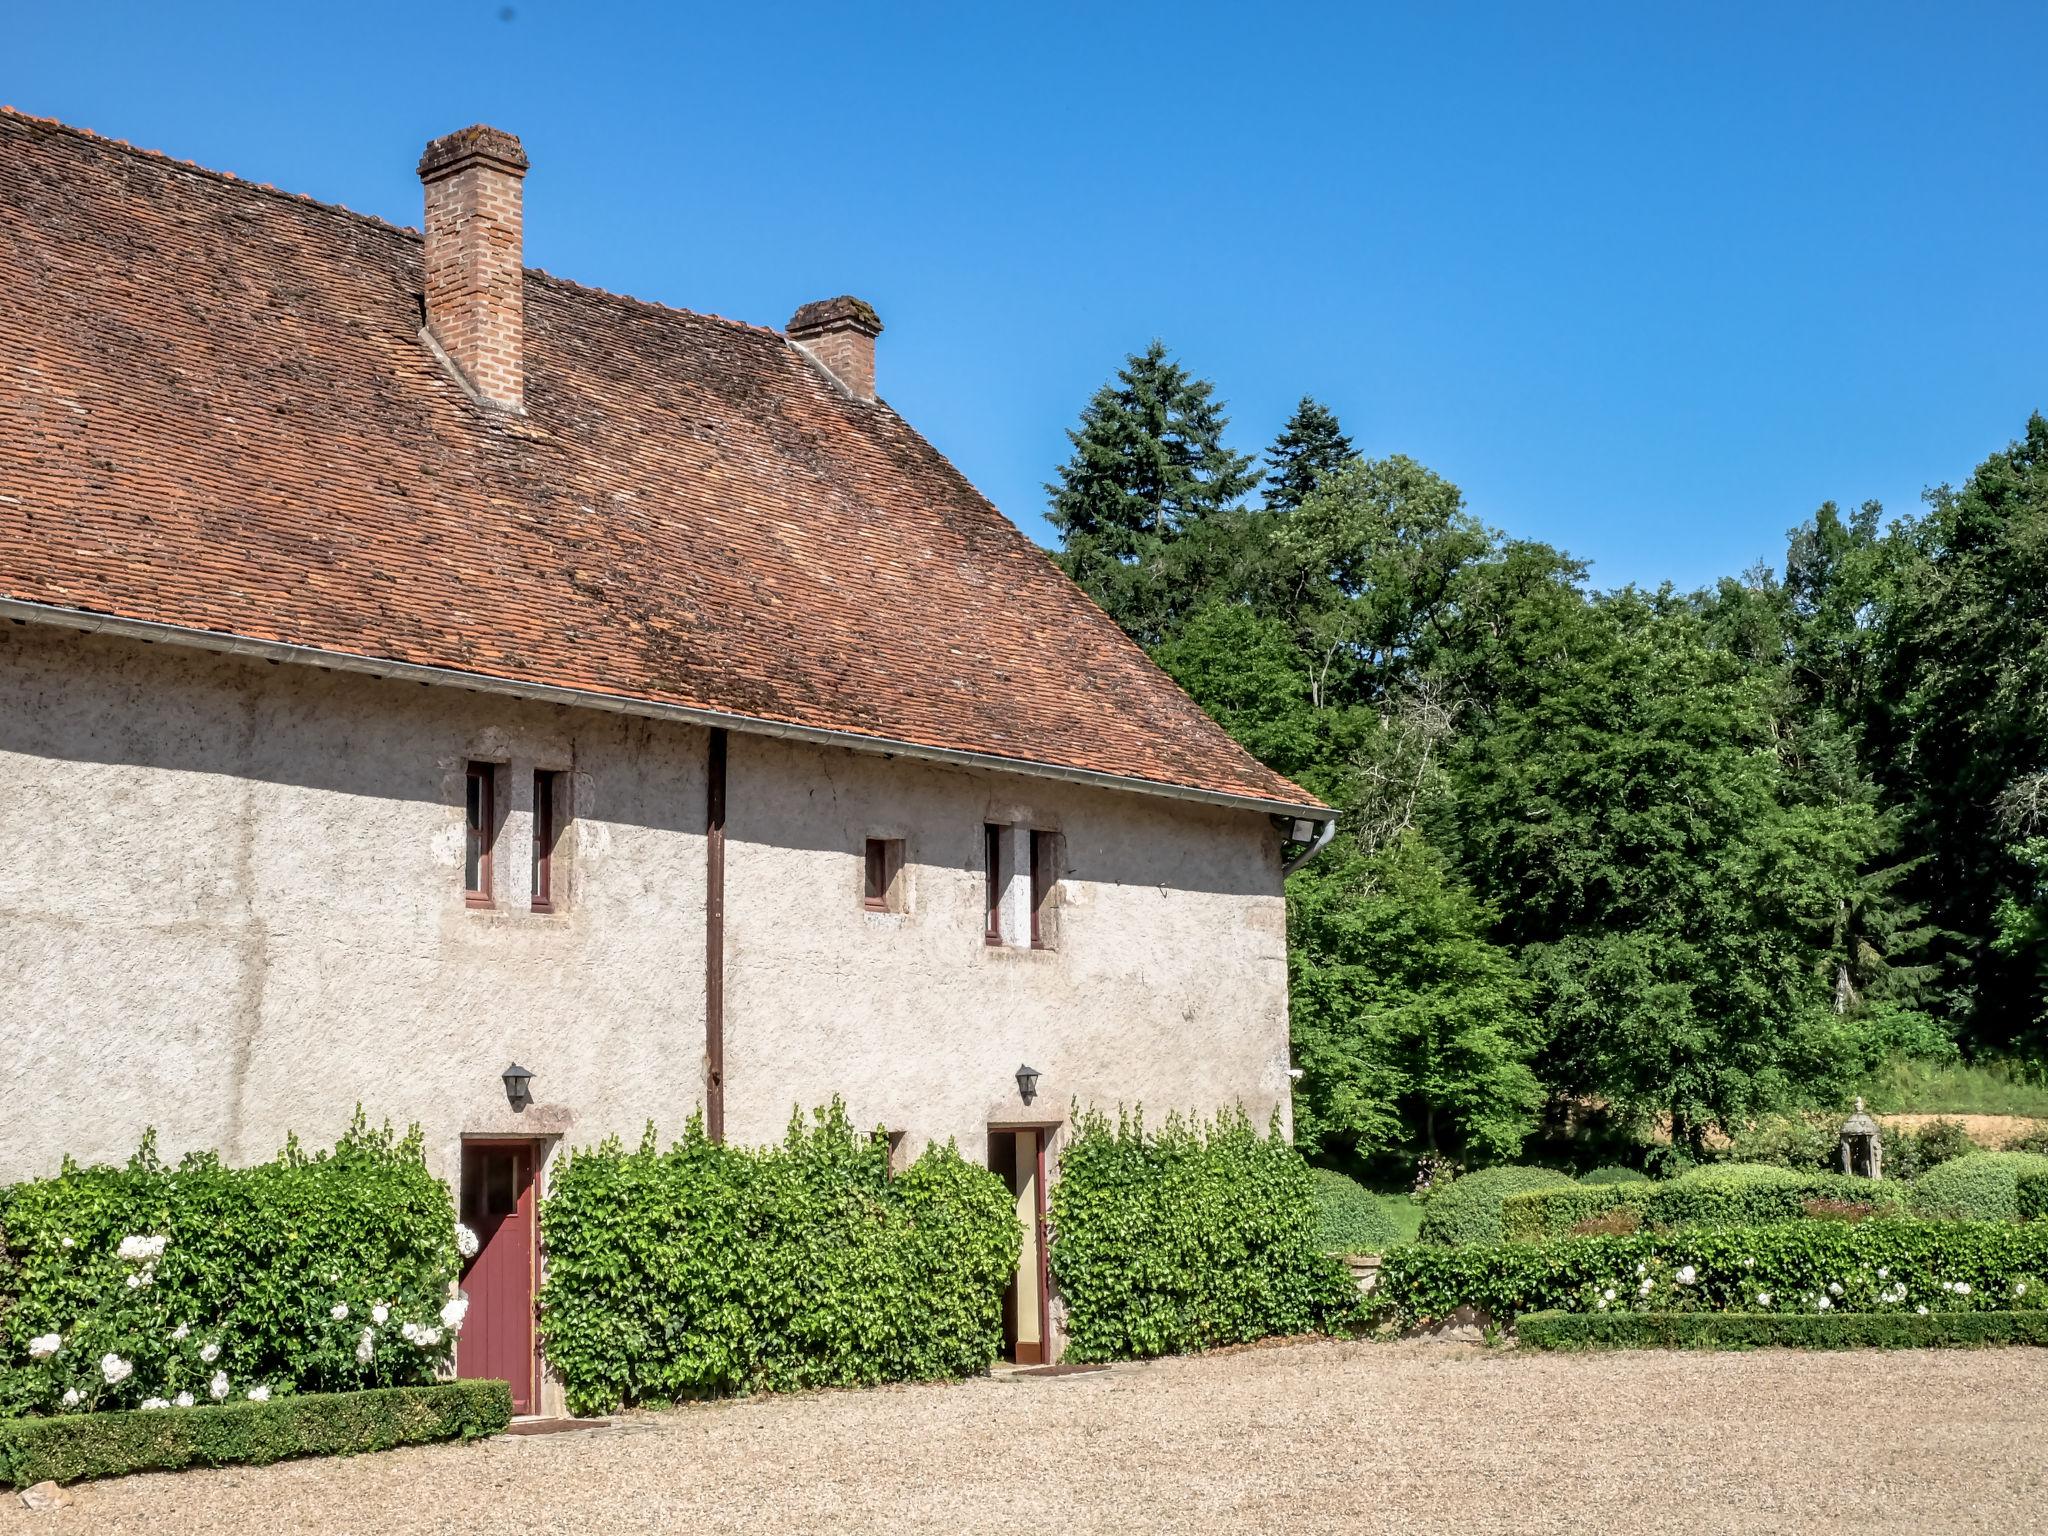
column 1648, row 282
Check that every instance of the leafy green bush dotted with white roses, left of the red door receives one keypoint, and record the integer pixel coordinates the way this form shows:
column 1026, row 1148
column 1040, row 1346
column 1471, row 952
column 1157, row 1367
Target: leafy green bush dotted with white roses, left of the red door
column 263, row 1277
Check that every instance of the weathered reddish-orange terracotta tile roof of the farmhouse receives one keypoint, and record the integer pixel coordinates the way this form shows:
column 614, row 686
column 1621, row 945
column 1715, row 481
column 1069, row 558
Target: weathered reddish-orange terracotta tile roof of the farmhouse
column 216, row 413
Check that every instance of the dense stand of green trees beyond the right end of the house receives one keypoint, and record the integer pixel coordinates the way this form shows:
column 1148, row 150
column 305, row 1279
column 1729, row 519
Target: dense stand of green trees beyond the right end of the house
column 1693, row 857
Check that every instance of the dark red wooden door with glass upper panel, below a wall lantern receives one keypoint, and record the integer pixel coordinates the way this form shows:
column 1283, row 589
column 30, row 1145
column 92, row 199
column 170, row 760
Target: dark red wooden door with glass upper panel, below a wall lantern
column 499, row 1207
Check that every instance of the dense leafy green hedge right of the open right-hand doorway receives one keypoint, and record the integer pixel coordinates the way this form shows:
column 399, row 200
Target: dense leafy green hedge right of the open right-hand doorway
column 1189, row 1238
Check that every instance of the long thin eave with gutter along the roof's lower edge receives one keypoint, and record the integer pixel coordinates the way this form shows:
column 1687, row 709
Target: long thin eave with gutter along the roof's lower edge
column 226, row 644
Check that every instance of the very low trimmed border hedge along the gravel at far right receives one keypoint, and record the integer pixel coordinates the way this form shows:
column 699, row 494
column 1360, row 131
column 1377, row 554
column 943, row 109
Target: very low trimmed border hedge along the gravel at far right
column 1764, row 1330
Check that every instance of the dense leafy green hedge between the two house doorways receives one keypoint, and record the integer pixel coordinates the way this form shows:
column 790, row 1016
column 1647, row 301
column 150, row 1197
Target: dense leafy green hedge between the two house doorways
column 712, row 1269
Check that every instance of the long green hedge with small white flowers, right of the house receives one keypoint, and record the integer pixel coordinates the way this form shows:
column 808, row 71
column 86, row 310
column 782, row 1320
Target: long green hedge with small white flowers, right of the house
column 1889, row 1265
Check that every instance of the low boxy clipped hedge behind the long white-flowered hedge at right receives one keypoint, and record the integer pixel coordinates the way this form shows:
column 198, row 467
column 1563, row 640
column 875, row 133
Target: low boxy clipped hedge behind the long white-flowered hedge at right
column 1727, row 1195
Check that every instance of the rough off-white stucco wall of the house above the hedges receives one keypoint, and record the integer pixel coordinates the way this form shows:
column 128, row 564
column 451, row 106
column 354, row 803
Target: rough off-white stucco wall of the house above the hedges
column 230, row 908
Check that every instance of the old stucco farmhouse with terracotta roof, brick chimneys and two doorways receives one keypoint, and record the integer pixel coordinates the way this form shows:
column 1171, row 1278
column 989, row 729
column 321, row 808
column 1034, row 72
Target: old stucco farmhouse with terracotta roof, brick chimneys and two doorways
column 527, row 712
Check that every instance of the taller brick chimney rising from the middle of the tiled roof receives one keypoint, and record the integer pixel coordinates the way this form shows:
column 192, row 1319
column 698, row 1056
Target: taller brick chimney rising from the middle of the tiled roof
column 474, row 220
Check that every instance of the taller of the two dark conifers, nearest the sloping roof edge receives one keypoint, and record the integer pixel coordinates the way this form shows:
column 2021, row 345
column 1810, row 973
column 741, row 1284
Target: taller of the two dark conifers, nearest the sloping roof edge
column 1148, row 468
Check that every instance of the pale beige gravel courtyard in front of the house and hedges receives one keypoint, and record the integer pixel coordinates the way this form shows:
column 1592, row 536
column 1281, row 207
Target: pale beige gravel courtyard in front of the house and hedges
column 1289, row 1439
